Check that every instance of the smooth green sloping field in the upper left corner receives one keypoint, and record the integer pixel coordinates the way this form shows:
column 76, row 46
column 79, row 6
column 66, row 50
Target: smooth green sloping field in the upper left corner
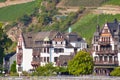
column 12, row 13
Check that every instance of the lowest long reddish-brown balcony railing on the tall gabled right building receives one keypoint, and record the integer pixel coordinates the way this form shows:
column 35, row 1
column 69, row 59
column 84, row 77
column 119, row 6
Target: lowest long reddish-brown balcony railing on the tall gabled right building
column 108, row 63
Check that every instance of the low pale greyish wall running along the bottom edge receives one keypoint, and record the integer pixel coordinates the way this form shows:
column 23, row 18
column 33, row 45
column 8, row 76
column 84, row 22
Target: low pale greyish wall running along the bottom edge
column 62, row 78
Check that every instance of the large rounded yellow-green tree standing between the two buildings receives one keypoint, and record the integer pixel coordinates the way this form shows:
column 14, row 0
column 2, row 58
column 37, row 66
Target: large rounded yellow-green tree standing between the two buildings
column 82, row 64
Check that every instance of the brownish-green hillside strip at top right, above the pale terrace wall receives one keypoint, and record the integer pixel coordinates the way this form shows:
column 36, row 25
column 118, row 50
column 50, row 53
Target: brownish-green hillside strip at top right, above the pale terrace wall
column 88, row 3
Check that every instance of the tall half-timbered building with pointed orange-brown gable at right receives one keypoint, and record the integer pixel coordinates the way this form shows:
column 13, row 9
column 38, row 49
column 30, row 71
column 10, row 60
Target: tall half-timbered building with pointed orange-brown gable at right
column 106, row 48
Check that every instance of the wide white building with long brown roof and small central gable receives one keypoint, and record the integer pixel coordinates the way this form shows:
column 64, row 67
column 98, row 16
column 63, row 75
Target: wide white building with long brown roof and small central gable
column 38, row 49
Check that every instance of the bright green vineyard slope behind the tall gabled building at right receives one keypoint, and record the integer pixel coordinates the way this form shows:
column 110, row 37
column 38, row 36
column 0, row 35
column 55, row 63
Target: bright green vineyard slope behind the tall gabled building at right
column 86, row 26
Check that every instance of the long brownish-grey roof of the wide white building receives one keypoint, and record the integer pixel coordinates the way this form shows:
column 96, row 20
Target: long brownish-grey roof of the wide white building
column 31, row 38
